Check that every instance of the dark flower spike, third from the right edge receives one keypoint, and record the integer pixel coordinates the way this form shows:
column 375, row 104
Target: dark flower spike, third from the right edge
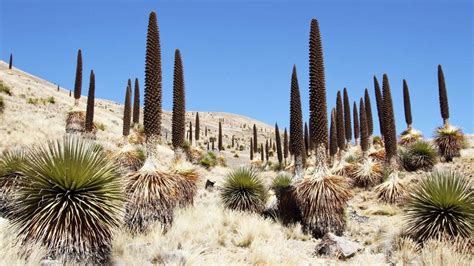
column 390, row 134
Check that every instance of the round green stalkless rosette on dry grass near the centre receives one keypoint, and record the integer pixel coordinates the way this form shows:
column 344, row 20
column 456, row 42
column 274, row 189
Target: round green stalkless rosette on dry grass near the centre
column 243, row 190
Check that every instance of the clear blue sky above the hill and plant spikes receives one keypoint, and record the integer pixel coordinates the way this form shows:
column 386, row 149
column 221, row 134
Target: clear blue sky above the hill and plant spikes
column 238, row 55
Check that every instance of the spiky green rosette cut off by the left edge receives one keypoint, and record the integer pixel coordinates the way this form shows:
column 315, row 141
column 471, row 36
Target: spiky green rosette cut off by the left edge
column 11, row 162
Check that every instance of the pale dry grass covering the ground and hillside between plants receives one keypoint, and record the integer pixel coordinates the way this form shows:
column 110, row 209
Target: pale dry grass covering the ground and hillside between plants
column 206, row 233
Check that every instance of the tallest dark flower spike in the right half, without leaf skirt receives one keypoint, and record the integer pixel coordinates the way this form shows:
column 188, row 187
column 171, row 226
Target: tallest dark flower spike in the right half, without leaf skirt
column 317, row 91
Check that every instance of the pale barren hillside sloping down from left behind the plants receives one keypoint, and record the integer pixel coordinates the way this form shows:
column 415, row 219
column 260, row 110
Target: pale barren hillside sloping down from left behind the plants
column 36, row 110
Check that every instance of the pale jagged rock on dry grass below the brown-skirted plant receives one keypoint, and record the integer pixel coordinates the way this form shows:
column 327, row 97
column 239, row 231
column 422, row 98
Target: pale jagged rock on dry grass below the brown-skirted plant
column 337, row 246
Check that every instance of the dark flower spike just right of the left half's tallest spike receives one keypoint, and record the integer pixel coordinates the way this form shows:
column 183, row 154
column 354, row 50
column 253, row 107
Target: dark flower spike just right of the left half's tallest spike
column 178, row 118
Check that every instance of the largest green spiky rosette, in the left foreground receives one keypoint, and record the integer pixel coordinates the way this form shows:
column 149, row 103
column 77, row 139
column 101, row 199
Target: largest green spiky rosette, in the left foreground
column 72, row 201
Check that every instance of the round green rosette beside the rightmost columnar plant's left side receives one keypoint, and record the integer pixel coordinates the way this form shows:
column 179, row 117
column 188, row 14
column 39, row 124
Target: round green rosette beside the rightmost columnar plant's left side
column 419, row 155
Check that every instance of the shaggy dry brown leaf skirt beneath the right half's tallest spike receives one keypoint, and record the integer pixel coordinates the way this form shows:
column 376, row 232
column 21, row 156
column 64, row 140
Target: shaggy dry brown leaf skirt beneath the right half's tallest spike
column 322, row 201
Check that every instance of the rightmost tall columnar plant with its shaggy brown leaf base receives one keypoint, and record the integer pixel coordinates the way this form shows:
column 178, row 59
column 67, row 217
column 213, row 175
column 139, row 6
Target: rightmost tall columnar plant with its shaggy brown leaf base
column 449, row 139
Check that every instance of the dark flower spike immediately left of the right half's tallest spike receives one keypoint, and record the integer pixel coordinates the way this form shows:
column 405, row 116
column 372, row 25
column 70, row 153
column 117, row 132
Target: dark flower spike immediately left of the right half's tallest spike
column 296, row 126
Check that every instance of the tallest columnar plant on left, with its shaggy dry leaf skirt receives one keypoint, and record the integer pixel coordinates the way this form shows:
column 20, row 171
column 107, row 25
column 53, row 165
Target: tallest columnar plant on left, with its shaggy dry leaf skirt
column 153, row 192
